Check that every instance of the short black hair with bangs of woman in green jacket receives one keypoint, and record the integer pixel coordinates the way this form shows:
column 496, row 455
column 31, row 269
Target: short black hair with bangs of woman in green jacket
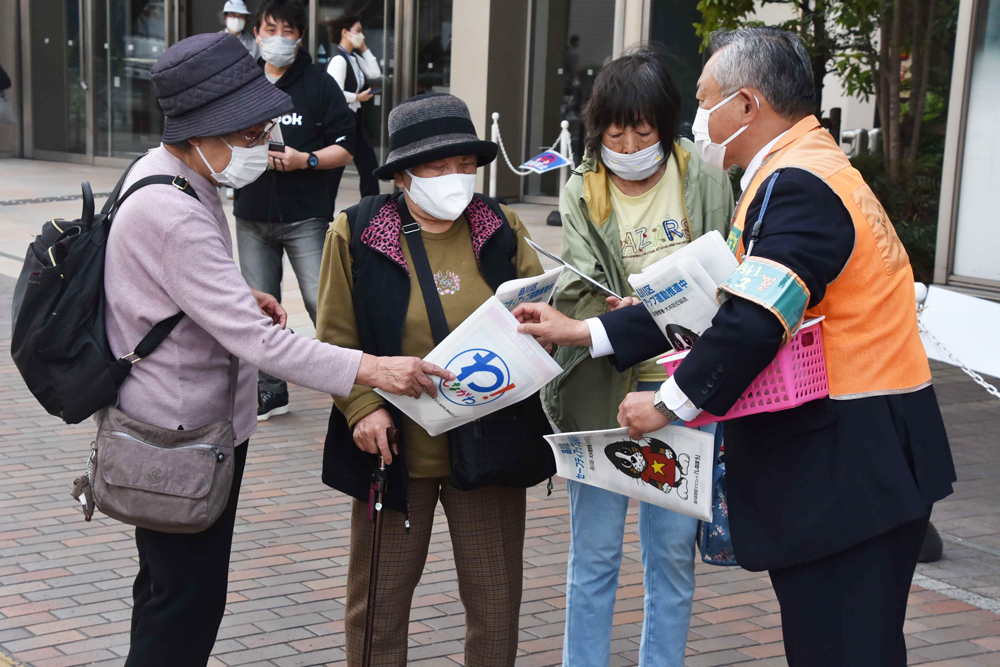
column 633, row 88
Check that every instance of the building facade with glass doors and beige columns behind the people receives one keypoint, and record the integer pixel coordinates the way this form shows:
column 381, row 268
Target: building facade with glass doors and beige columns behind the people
column 82, row 88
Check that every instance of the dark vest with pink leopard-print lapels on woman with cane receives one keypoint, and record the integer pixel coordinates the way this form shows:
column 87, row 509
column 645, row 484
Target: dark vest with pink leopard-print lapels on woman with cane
column 381, row 298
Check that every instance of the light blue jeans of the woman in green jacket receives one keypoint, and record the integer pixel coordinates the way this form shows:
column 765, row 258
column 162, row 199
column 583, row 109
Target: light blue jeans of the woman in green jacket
column 597, row 527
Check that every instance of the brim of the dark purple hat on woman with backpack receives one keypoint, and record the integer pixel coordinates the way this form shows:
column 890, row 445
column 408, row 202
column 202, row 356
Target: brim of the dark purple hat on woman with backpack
column 251, row 104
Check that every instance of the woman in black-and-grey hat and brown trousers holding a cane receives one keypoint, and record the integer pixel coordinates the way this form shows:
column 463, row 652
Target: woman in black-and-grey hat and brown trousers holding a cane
column 381, row 260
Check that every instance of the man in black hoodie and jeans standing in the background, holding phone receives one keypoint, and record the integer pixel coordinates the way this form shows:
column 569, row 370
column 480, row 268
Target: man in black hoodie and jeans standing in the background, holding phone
column 289, row 208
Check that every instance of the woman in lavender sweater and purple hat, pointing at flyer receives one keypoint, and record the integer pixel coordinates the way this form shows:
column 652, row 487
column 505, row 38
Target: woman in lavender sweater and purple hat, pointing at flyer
column 169, row 252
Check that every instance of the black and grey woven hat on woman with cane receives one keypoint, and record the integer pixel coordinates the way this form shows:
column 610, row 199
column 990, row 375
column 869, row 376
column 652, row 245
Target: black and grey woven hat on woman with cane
column 431, row 127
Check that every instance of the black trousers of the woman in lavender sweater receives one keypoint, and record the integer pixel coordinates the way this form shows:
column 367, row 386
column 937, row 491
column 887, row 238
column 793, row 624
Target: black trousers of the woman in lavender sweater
column 180, row 592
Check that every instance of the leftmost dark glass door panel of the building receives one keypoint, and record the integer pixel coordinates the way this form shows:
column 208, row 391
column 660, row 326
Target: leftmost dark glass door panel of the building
column 60, row 98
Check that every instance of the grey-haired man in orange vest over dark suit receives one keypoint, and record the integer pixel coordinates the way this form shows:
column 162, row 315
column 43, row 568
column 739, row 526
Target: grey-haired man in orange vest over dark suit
column 833, row 497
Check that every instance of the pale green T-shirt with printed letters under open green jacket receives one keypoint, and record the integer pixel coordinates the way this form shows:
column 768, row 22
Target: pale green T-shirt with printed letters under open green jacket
column 652, row 226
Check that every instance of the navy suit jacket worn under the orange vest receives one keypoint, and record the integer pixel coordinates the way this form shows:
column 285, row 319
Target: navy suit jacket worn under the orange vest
column 818, row 479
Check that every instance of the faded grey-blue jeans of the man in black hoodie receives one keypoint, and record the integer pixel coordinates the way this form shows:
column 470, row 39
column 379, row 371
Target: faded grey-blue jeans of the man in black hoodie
column 261, row 246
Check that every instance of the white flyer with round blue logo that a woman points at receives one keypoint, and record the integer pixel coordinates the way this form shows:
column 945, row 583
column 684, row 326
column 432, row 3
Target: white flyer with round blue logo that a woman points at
column 495, row 367
